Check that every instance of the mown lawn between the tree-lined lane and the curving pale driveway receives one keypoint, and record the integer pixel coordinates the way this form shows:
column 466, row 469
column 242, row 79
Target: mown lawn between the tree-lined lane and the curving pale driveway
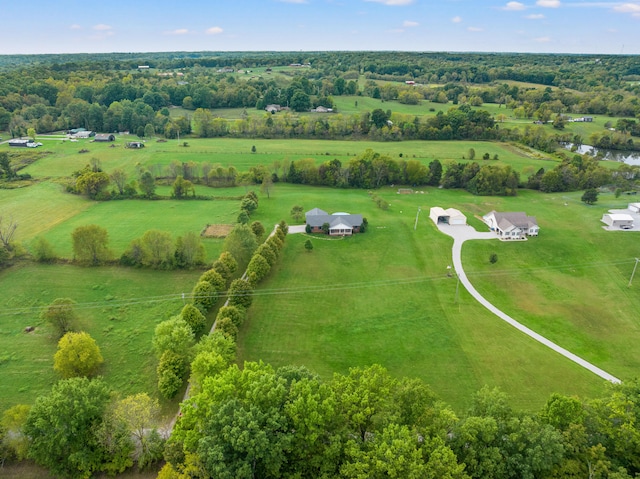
column 385, row 297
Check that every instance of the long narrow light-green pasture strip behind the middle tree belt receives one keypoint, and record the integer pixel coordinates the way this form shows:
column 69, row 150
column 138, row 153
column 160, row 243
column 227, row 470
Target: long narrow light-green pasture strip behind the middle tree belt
column 65, row 158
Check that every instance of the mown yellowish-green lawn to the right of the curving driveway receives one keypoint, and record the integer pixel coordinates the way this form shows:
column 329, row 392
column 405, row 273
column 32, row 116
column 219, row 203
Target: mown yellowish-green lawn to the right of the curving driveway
column 571, row 283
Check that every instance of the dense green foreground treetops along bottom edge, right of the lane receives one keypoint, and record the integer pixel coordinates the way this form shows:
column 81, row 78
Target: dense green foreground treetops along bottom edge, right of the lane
column 261, row 422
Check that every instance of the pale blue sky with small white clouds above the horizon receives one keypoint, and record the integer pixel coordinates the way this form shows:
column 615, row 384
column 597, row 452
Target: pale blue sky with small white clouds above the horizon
column 549, row 26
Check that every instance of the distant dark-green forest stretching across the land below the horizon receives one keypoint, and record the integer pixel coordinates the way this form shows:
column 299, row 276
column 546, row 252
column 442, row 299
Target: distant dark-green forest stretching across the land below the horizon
column 104, row 96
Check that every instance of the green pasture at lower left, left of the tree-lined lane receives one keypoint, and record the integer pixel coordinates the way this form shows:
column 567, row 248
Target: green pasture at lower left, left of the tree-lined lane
column 118, row 307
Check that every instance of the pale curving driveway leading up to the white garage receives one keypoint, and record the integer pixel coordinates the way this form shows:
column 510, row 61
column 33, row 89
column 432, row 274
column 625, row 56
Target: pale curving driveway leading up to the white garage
column 460, row 234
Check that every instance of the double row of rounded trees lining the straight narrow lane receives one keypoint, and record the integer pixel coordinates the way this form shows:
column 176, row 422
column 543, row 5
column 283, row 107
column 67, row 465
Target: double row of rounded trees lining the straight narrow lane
column 177, row 341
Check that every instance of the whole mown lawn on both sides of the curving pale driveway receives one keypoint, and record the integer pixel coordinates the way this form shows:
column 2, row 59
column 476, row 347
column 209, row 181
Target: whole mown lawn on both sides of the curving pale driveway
column 384, row 297
